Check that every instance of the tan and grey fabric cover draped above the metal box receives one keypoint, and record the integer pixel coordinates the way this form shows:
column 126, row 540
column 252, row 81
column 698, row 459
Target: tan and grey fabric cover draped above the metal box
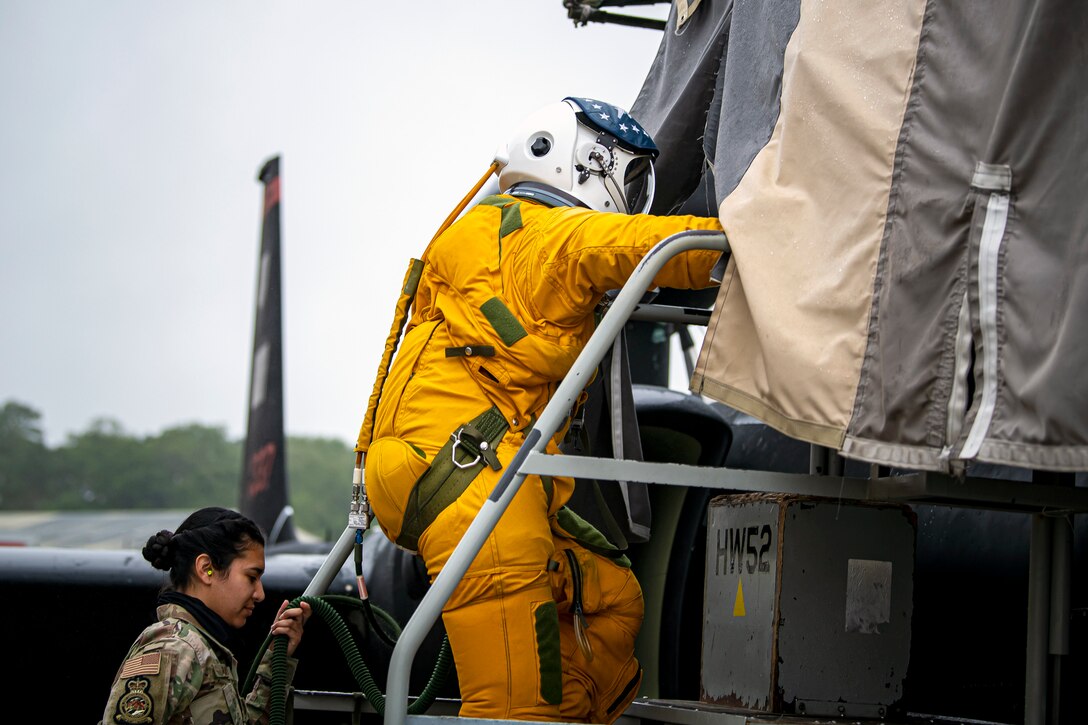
column 902, row 185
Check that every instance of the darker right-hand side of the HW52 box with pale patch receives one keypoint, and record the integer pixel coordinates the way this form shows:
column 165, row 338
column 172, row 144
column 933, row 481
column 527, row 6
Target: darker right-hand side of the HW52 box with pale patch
column 847, row 599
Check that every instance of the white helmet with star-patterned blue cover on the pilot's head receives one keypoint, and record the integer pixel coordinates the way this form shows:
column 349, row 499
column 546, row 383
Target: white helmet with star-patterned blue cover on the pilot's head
column 582, row 153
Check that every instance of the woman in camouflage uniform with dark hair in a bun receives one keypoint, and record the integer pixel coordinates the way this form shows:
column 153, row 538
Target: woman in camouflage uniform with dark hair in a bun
column 181, row 670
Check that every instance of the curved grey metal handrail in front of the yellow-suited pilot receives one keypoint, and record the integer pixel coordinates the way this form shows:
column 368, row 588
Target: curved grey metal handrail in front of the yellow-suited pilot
column 555, row 413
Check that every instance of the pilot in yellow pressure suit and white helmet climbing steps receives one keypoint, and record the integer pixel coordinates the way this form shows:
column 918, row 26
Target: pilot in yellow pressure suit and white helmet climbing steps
column 545, row 622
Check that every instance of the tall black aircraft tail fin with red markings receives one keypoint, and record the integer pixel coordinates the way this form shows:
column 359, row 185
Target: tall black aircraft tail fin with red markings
column 265, row 476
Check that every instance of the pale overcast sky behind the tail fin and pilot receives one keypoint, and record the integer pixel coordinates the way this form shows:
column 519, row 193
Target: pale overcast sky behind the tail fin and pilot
column 131, row 137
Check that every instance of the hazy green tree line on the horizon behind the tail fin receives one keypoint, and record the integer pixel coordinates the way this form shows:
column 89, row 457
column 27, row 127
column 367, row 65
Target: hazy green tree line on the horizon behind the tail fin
column 106, row 469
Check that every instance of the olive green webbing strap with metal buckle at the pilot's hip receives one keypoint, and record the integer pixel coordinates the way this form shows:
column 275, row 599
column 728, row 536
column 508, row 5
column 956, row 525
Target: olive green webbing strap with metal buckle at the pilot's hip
column 471, row 448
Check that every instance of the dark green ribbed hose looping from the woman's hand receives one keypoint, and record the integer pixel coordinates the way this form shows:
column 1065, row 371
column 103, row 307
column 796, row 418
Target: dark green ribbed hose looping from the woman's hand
column 322, row 607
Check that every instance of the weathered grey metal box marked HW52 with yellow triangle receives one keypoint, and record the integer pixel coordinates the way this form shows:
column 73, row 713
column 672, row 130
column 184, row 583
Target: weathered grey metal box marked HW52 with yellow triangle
column 808, row 605
